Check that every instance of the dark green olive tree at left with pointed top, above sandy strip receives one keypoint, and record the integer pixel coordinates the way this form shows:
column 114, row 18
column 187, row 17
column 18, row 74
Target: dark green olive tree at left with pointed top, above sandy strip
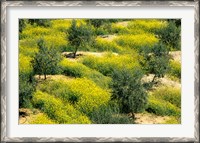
column 46, row 60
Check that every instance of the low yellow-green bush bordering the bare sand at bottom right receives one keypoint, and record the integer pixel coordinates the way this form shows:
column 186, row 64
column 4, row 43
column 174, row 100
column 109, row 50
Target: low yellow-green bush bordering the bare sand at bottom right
column 161, row 107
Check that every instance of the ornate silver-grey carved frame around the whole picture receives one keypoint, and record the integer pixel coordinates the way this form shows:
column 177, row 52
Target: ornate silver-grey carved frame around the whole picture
column 5, row 4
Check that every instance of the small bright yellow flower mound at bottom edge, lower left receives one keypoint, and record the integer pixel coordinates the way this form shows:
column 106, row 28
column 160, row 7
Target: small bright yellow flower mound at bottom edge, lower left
column 42, row 119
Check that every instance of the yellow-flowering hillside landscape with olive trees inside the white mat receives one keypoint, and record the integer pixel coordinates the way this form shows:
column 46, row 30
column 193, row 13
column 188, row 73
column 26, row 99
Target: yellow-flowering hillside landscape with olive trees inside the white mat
column 97, row 72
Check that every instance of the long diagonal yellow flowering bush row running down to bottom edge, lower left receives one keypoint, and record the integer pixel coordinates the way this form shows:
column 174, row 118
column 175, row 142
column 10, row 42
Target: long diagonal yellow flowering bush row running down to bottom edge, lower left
column 56, row 110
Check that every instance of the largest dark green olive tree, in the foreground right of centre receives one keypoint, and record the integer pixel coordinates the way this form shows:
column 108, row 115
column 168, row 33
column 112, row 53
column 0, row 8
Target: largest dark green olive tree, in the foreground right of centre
column 129, row 91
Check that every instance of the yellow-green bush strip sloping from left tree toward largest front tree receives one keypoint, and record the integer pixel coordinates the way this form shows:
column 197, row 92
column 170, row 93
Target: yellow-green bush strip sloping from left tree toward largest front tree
column 79, row 70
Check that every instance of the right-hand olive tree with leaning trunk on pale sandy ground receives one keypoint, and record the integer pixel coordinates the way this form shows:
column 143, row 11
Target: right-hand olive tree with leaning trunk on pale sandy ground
column 155, row 60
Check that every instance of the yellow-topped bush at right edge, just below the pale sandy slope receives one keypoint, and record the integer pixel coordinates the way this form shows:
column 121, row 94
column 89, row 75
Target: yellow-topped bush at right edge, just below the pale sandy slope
column 170, row 94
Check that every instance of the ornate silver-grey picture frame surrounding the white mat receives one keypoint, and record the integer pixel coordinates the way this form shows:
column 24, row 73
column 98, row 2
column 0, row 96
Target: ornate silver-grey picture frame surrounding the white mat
column 133, row 4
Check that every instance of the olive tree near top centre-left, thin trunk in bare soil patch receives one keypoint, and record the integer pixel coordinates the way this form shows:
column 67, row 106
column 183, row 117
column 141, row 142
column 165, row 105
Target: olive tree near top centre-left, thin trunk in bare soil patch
column 79, row 36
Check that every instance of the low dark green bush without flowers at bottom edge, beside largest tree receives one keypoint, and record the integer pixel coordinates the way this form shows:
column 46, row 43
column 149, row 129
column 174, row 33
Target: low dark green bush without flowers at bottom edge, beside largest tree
column 109, row 114
